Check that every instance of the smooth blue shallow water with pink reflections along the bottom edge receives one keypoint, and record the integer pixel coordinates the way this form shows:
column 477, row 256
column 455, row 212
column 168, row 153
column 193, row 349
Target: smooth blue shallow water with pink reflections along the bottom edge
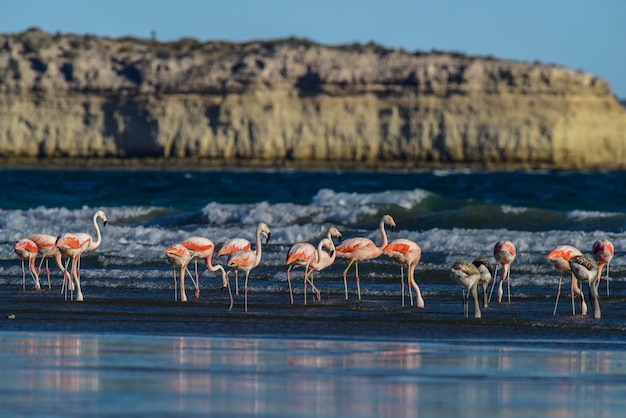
column 61, row 374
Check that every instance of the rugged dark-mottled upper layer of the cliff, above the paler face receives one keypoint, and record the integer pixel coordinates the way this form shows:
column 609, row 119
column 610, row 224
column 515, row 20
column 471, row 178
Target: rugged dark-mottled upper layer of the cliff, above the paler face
column 38, row 61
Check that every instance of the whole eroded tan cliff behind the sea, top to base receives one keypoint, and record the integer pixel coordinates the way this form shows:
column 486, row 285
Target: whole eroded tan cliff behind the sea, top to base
column 293, row 100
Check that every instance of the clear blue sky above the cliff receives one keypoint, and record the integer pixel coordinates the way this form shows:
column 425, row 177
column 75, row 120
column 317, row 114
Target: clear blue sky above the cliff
column 587, row 35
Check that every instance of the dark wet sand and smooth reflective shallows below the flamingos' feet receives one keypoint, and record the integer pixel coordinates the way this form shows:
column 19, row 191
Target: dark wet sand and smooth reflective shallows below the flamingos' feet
column 141, row 354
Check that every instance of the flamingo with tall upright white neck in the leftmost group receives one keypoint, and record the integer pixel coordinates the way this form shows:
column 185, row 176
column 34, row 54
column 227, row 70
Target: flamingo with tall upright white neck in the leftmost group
column 73, row 245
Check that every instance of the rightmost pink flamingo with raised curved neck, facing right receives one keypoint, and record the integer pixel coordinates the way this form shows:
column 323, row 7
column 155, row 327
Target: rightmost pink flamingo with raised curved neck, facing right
column 360, row 248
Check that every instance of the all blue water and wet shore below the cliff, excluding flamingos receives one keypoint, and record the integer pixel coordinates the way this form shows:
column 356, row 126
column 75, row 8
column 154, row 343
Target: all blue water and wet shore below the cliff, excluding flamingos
column 130, row 349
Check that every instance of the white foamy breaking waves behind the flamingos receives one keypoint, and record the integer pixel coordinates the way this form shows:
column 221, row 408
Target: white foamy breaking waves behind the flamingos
column 136, row 236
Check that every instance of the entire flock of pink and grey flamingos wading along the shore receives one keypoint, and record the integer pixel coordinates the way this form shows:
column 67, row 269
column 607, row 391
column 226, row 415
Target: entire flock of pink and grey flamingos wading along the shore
column 242, row 257
